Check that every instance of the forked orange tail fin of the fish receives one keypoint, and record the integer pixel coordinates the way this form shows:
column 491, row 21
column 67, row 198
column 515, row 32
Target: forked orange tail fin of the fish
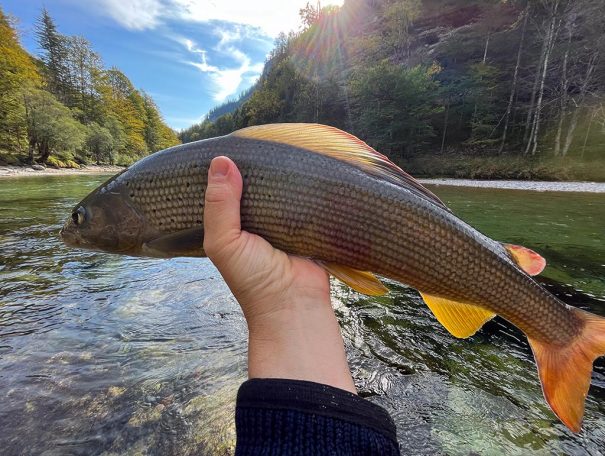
column 565, row 371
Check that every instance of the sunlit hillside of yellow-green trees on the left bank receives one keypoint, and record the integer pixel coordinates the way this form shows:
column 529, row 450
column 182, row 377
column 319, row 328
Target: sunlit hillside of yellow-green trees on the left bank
column 64, row 108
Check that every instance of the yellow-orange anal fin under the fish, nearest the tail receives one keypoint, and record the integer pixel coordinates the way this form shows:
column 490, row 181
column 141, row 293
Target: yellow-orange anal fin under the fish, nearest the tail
column 460, row 319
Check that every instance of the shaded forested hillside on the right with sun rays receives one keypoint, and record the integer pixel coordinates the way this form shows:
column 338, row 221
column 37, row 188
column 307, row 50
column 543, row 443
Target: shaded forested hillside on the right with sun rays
column 490, row 88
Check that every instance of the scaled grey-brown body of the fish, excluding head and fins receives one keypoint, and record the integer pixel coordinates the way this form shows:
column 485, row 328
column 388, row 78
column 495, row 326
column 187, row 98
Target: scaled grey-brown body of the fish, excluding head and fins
column 409, row 244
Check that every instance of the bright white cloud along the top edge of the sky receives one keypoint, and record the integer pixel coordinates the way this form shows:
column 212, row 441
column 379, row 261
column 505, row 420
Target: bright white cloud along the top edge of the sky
column 271, row 16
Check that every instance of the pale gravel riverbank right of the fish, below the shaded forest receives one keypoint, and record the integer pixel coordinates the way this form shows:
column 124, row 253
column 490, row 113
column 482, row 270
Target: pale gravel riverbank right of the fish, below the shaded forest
column 538, row 186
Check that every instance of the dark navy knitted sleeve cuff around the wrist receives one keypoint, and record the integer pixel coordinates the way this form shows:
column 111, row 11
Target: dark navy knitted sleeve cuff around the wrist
column 294, row 417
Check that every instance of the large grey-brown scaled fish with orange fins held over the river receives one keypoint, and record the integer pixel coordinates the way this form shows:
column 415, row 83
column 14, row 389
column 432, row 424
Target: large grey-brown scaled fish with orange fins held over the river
column 318, row 192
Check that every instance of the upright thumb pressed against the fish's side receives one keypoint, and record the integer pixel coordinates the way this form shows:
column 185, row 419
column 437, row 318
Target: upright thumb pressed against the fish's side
column 222, row 226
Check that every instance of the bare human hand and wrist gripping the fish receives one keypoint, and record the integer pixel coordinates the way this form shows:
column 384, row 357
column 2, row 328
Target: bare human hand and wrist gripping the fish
column 293, row 332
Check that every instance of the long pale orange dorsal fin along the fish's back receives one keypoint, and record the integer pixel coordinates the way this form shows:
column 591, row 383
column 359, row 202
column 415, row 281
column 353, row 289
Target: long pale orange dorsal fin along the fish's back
column 331, row 141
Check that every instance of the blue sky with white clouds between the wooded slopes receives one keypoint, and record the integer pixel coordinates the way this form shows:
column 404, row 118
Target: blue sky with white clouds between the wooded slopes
column 189, row 55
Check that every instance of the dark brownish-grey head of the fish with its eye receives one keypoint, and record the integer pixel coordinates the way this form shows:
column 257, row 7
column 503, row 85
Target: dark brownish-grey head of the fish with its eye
column 106, row 220
